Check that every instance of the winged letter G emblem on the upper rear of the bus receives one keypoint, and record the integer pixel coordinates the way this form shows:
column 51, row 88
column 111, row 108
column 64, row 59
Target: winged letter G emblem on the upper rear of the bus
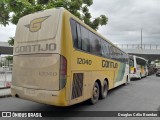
column 35, row 24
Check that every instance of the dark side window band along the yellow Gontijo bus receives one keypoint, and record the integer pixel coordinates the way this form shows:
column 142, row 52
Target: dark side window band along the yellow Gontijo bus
column 85, row 40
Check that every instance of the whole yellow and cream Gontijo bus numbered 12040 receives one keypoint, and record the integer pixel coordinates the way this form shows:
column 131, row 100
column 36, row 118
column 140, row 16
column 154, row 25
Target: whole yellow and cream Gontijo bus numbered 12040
column 59, row 60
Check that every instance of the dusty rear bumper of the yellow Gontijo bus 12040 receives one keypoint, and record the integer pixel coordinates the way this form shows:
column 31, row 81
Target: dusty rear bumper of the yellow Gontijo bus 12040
column 41, row 96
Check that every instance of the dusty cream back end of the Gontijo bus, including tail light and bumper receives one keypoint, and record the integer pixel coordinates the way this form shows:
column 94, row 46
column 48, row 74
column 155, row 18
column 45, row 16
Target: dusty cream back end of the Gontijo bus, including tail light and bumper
column 40, row 71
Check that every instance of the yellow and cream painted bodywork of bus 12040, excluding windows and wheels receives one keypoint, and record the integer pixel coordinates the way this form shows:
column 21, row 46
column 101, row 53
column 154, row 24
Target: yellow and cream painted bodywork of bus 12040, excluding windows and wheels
column 30, row 79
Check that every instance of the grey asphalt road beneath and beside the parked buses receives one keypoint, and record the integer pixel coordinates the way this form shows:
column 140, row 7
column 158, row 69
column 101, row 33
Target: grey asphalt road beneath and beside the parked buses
column 139, row 95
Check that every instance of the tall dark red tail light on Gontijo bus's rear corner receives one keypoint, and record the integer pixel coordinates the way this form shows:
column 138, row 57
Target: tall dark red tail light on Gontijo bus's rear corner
column 63, row 72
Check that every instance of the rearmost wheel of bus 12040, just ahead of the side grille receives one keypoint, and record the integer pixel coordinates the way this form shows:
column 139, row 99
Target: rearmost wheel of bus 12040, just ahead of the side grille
column 95, row 94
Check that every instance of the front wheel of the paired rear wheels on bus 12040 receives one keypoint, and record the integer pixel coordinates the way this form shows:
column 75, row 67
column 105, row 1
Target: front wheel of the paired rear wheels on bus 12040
column 104, row 91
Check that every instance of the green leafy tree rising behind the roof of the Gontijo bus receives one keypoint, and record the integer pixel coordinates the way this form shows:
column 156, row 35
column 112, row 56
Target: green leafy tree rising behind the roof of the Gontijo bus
column 12, row 10
